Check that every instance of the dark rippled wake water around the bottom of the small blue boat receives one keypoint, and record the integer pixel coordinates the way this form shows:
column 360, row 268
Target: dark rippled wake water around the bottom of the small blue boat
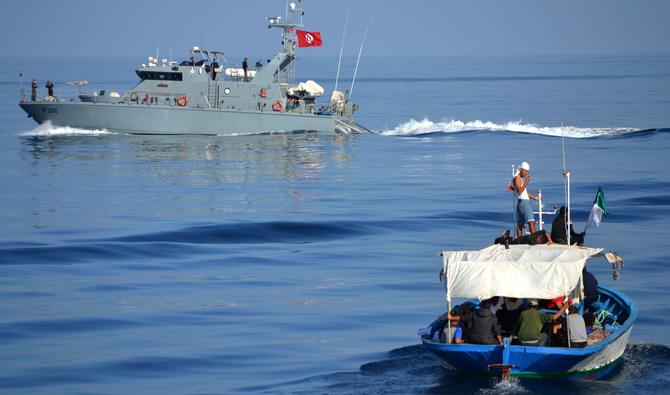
column 413, row 369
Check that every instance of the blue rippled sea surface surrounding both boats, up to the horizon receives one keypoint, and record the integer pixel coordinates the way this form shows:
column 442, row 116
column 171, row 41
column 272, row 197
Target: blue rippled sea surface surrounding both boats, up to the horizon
column 305, row 263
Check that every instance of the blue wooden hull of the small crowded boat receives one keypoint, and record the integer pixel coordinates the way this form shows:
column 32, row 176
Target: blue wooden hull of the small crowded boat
column 592, row 362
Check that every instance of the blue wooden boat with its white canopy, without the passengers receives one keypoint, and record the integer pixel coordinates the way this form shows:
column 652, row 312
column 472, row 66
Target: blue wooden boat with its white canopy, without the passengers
column 615, row 310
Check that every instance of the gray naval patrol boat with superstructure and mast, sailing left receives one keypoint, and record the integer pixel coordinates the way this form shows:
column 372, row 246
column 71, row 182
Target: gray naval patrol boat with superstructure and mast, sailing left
column 198, row 96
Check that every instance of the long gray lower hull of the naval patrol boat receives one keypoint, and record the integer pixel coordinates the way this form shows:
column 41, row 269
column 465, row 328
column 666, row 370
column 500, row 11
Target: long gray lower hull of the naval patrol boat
column 135, row 119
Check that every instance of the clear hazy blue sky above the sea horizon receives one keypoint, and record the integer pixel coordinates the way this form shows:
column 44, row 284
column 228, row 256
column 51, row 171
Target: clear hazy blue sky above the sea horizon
column 419, row 27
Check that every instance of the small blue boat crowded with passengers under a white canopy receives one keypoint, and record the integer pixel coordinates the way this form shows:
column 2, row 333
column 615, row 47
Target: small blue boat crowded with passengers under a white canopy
column 529, row 307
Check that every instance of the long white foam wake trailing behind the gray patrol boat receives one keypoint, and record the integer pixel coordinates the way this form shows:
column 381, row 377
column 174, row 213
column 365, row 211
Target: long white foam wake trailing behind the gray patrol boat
column 425, row 126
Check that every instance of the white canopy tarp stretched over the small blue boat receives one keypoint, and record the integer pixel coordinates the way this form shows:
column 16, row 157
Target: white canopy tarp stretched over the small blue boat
column 522, row 271
